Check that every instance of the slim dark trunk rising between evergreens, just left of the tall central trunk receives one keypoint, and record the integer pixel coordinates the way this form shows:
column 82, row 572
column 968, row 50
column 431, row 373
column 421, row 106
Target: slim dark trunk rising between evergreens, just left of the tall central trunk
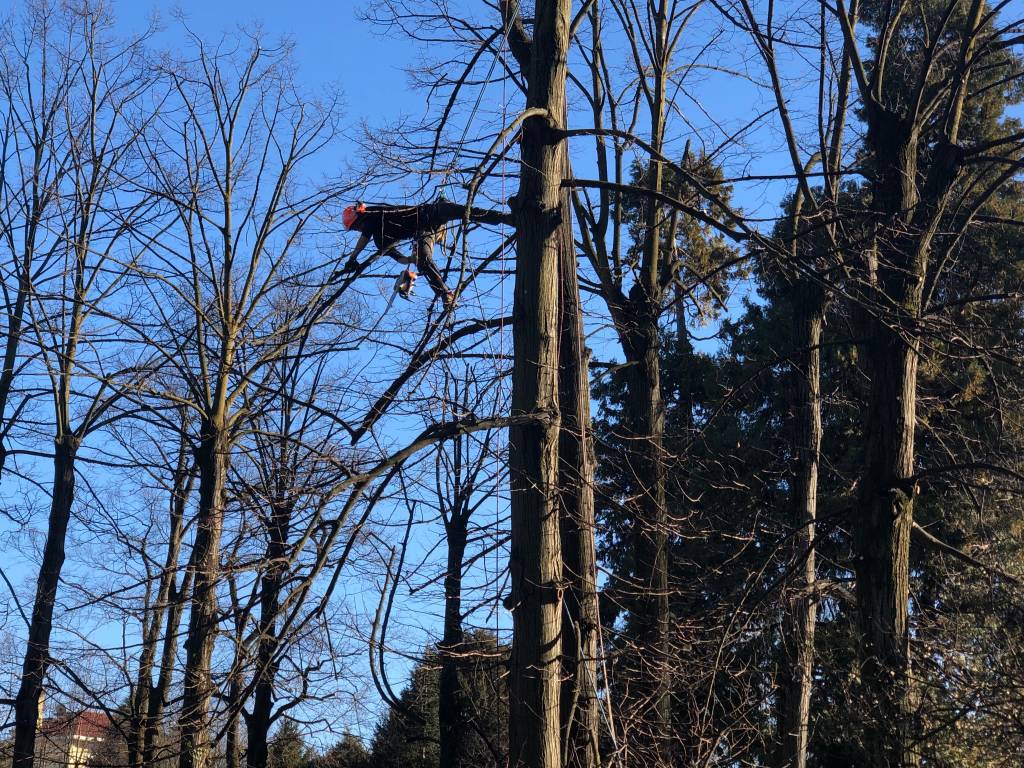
column 451, row 703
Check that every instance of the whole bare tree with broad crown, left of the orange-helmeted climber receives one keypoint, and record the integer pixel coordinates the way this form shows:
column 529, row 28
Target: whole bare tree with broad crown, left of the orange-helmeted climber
column 231, row 165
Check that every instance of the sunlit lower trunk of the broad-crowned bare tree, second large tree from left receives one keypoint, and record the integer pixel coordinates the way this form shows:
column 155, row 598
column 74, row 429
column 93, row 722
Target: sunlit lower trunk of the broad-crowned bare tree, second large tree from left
column 212, row 459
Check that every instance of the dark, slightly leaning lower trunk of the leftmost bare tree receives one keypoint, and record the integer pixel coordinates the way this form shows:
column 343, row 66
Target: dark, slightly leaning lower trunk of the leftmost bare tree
column 37, row 655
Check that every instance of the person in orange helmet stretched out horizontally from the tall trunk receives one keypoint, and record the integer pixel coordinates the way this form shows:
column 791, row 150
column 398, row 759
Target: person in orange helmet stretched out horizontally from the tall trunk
column 424, row 225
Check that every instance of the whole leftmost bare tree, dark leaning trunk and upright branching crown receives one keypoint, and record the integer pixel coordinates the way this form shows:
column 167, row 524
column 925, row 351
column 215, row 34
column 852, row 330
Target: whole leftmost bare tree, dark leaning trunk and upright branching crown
column 96, row 142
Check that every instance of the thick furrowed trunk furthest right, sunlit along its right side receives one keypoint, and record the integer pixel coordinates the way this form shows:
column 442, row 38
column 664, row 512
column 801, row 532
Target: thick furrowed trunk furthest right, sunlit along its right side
column 885, row 515
